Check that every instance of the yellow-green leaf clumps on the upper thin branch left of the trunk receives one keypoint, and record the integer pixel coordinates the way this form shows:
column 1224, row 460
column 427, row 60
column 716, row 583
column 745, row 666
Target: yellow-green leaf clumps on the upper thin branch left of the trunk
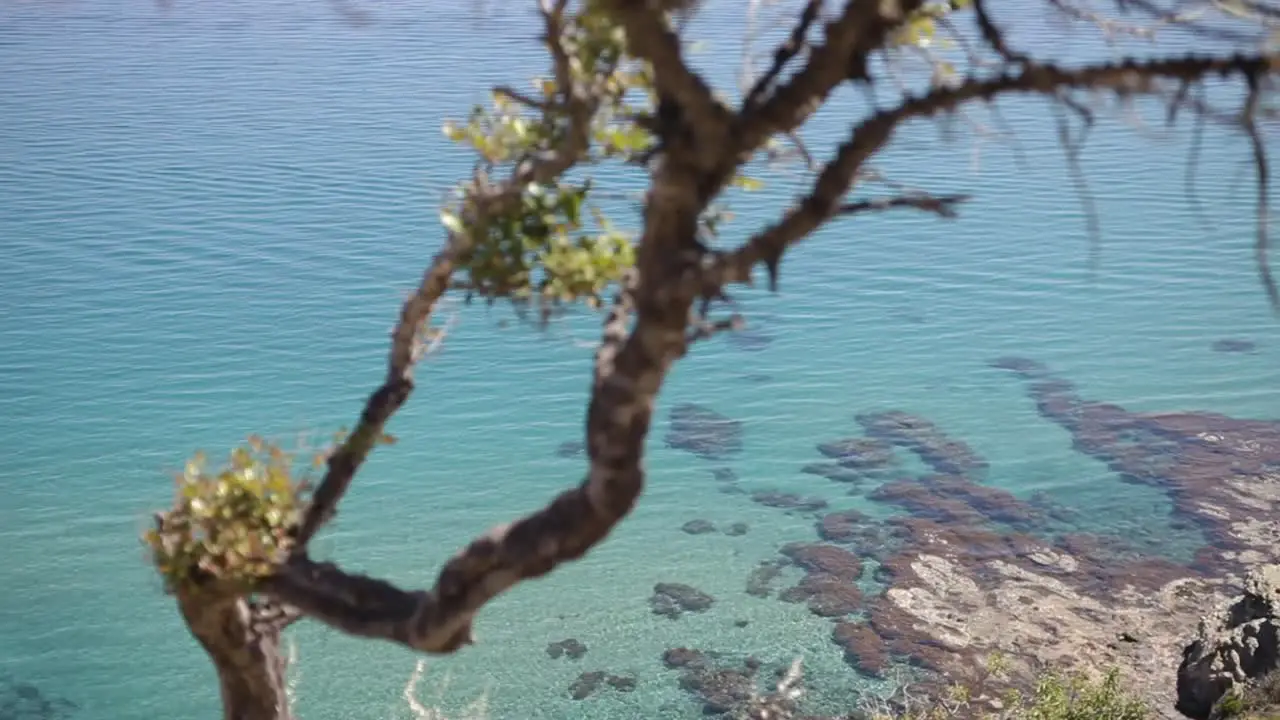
column 546, row 249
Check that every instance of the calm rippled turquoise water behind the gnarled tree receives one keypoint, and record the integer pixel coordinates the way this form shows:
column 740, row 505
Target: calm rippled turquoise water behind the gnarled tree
column 208, row 220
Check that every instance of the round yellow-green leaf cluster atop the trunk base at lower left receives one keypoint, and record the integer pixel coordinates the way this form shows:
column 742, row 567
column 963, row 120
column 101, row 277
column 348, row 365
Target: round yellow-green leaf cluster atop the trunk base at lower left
column 228, row 526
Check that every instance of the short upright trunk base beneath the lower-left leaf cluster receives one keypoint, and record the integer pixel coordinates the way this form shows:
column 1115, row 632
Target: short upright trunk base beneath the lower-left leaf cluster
column 249, row 660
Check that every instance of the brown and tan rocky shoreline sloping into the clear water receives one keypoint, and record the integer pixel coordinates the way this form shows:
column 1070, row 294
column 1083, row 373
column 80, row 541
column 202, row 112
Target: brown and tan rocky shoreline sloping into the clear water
column 967, row 571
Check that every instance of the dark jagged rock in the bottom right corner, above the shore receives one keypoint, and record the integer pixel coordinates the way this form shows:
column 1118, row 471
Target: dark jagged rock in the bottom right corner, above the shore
column 1237, row 644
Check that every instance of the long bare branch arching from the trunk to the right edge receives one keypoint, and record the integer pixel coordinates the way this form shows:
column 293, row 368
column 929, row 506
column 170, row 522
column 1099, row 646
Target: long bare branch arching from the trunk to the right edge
column 822, row 203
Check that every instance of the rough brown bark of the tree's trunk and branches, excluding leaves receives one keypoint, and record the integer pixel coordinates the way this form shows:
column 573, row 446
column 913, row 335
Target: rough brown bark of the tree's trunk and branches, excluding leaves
column 705, row 143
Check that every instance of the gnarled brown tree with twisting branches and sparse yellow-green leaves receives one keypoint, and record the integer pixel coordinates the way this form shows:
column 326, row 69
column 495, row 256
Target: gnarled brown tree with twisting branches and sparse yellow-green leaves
column 234, row 549
